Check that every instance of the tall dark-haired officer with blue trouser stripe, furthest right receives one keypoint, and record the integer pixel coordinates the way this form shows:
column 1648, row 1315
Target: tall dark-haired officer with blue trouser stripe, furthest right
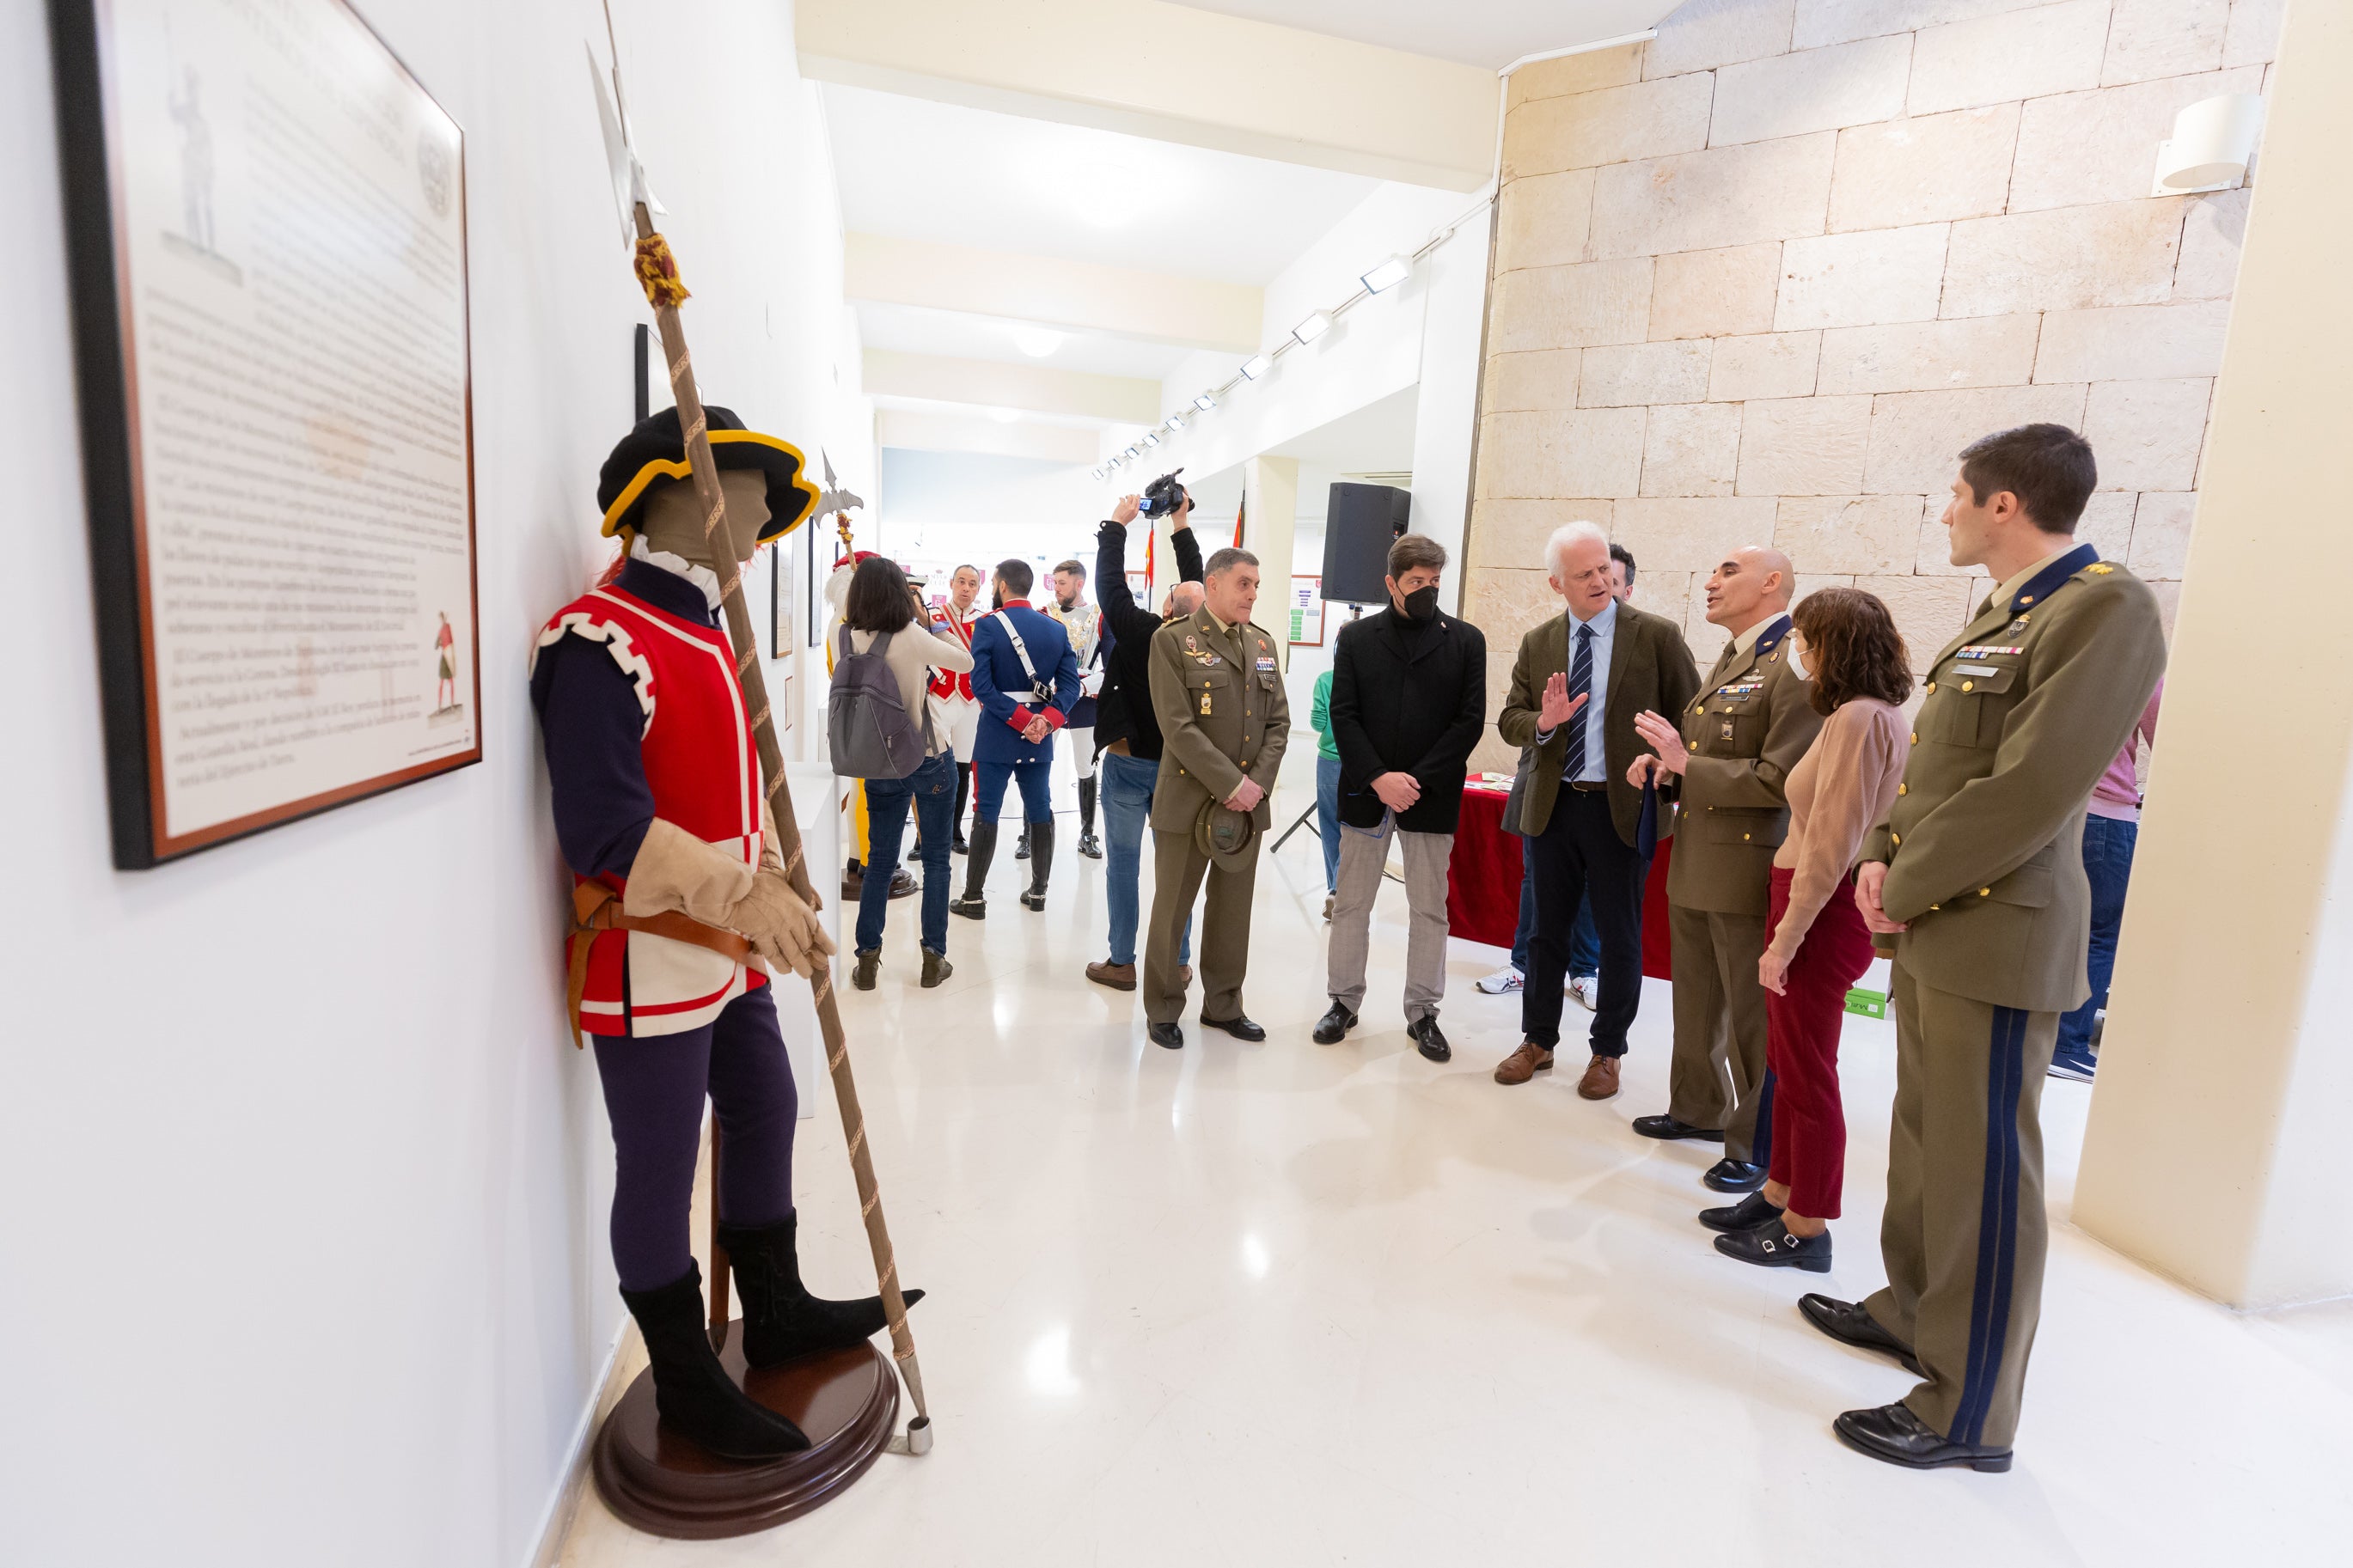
column 1978, row 878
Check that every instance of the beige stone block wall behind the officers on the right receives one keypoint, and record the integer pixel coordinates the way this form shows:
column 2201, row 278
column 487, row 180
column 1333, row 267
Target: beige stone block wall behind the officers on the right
column 1768, row 274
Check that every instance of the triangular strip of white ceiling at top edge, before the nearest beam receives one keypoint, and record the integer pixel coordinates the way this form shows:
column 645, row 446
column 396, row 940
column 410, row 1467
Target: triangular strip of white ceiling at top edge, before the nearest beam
column 1479, row 32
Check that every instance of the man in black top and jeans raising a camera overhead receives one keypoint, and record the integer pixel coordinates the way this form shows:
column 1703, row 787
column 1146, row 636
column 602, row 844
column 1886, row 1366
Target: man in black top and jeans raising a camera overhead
column 1126, row 725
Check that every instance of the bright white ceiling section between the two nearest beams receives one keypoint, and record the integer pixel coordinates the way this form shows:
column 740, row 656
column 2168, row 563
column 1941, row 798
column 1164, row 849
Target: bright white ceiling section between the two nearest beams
column 924, row 170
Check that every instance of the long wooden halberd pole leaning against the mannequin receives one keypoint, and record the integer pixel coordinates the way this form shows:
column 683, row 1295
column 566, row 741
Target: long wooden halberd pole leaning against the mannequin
column 789, row 850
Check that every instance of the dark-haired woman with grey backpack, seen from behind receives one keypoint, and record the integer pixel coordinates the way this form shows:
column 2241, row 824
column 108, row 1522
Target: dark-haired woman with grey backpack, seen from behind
column 881, row 608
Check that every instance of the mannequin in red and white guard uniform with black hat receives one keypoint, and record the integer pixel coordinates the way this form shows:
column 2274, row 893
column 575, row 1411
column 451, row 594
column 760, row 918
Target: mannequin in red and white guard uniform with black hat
column 681, row 909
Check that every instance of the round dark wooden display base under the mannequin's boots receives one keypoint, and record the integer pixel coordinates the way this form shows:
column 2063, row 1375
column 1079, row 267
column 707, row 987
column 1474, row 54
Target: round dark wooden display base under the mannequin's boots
column 848, row 1402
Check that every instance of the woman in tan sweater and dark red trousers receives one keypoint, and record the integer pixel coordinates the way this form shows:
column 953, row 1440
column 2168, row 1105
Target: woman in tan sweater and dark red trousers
column 1818, row 944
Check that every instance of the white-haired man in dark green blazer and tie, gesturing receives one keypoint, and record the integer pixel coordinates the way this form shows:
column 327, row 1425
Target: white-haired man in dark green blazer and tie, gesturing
column 1575, row 690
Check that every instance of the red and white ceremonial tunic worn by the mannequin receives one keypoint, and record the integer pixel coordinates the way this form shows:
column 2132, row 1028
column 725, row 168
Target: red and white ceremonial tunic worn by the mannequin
column 705, row 777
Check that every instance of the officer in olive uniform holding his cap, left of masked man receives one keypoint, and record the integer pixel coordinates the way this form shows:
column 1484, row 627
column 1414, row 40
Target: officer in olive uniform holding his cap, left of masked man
column 1218, row 690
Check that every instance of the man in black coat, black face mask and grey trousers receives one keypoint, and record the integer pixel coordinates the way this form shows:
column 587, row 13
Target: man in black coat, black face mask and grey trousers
column 1408, row 704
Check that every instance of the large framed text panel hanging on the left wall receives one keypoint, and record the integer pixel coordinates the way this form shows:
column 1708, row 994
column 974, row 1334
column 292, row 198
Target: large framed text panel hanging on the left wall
column 267, row 236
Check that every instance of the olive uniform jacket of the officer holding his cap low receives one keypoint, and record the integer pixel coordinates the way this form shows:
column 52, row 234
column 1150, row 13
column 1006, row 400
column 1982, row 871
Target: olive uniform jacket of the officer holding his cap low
column 1222, row 718
